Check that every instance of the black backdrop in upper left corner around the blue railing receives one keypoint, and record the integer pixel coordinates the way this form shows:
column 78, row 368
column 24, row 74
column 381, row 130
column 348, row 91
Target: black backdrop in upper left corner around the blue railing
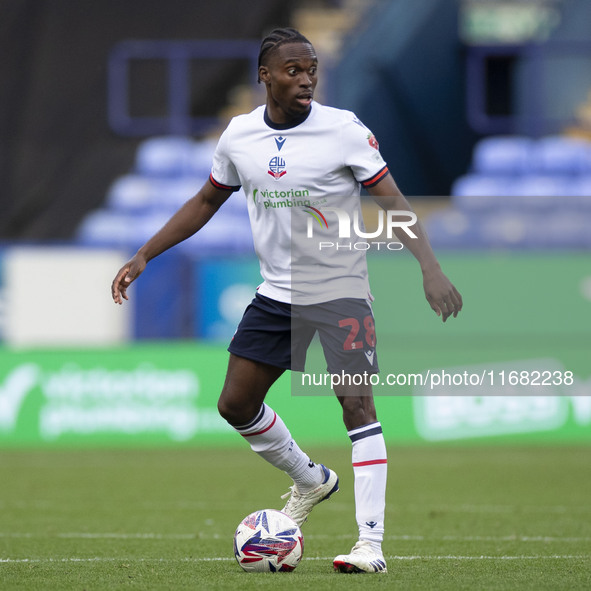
column 57, row 153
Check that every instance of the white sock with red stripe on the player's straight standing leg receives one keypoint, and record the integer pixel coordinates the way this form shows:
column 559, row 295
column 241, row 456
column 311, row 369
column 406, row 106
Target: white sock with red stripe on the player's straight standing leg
column 370, row 469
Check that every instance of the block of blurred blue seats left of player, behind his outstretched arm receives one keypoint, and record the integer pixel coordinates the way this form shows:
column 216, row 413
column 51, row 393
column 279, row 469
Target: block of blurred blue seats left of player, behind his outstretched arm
column 167, row 171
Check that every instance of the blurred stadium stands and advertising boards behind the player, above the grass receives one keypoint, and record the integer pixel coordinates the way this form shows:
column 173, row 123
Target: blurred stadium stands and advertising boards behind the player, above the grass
column 110, row 112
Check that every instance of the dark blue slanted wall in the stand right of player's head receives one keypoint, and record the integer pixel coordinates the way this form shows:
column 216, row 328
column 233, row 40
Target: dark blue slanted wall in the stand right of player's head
column 404, row 78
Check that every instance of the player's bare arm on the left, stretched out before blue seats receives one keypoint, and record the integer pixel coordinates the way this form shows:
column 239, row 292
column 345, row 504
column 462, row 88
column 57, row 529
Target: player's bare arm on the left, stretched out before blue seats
column 190, row 218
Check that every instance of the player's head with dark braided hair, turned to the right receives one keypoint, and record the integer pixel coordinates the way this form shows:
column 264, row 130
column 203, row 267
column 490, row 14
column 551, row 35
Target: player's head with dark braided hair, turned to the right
column 287, row 67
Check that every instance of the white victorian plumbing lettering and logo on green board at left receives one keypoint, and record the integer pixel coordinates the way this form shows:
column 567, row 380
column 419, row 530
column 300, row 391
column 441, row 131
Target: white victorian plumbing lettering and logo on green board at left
column 82, row 401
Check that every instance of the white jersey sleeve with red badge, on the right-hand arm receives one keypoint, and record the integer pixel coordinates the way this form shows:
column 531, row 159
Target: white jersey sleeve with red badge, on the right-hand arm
column 361, row 152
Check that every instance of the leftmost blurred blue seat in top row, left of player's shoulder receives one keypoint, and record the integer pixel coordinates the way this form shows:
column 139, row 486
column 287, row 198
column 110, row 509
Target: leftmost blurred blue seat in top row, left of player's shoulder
column 165, row 156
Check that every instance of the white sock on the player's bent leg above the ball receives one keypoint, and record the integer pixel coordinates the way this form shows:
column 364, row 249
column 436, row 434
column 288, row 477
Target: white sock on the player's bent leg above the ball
column 270, row 438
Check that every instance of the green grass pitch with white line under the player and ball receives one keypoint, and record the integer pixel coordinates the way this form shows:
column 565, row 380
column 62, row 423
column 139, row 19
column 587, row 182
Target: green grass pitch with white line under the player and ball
column 457, row 518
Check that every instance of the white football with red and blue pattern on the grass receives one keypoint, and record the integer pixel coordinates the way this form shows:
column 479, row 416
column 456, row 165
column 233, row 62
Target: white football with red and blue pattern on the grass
column 268, row 541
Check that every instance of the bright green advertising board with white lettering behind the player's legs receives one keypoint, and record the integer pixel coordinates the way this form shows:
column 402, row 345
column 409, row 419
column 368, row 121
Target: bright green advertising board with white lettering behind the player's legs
column 163, row 395
